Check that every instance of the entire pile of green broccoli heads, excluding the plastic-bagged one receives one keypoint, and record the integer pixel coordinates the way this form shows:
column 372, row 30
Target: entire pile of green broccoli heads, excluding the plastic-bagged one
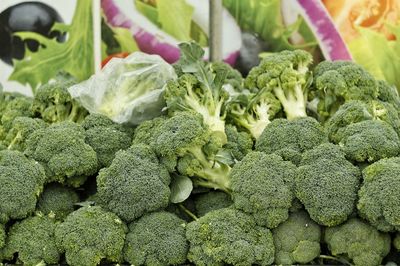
column 293, row 164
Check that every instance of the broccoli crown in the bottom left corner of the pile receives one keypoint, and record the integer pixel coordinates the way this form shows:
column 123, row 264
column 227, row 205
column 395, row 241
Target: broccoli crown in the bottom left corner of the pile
column 33, row 240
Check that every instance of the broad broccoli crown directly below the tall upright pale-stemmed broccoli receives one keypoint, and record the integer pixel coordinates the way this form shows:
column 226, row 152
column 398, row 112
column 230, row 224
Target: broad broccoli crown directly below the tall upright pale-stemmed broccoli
column 290, row 139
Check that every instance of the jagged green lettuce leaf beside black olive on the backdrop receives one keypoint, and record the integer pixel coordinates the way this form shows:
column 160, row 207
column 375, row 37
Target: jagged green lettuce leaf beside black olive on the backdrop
column 75, row 56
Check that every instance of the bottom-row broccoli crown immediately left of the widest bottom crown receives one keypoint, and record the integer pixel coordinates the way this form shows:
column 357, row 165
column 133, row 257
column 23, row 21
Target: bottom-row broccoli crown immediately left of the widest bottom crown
column 156, row 239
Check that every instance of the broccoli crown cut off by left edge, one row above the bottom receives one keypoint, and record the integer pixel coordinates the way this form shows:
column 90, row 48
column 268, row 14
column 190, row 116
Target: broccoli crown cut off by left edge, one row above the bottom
column 21, row 181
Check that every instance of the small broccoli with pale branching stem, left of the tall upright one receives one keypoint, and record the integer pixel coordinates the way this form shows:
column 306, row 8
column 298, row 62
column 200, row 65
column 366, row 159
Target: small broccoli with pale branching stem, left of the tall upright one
column 253, row 111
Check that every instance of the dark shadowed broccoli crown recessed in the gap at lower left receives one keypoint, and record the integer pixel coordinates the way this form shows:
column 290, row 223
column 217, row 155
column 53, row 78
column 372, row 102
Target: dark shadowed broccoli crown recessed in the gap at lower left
column 57, row 201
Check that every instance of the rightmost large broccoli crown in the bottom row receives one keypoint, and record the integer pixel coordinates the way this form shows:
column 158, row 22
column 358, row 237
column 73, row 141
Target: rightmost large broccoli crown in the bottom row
column 359, row 241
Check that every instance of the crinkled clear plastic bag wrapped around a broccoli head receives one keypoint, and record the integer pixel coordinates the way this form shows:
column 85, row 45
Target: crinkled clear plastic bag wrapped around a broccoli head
column 128, row 90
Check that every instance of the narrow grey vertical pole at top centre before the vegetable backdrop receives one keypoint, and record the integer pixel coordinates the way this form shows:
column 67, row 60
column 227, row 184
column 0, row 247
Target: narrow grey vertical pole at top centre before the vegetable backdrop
column 215, row 30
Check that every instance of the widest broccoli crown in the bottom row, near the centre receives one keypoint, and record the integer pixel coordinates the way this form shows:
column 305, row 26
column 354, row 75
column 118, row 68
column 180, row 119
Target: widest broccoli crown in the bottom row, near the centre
column 229, row 236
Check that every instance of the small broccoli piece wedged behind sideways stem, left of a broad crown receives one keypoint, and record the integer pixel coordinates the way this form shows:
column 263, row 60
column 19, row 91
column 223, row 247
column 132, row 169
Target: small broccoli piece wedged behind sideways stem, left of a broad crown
column 239, row 142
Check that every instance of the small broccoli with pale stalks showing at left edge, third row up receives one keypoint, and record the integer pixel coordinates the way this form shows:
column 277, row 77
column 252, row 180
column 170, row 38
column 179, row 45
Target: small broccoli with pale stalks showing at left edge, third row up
column 22, row 127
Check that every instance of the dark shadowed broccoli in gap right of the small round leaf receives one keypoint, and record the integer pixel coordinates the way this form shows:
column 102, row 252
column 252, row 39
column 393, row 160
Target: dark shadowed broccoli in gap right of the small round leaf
column 211, row 201
